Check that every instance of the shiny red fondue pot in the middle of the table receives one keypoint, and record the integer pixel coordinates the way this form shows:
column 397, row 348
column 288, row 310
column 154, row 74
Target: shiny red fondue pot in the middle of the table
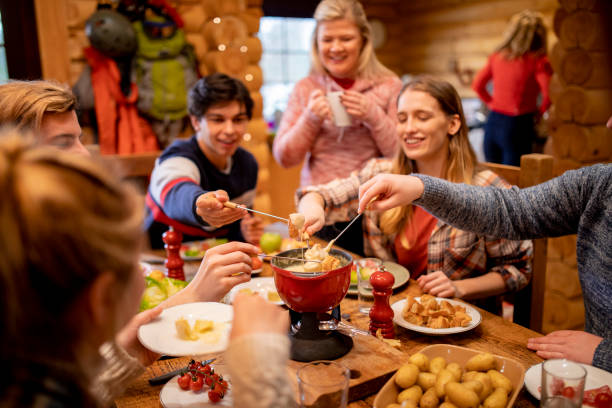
column 318, row 293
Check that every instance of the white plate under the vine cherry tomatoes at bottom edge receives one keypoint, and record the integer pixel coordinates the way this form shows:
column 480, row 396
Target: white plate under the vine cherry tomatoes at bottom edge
column 173, row 396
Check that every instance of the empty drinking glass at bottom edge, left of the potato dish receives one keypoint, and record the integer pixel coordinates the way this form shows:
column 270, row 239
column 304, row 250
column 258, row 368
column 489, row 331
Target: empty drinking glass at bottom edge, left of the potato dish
column 324, row 384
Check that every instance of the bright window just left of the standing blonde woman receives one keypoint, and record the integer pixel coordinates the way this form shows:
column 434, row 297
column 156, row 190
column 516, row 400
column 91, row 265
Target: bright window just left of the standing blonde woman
column 286, row 46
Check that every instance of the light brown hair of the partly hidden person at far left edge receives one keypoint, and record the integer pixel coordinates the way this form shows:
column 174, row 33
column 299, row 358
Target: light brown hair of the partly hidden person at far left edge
column 24, row 103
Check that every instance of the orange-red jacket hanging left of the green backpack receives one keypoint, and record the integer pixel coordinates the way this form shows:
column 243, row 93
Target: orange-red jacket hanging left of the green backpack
column 120, row 128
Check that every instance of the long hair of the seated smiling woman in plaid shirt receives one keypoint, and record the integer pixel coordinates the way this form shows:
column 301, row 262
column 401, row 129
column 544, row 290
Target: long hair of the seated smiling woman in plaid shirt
column 461, row 161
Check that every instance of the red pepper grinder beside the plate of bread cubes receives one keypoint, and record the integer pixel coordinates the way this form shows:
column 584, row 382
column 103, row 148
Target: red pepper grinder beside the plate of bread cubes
column 381, row 314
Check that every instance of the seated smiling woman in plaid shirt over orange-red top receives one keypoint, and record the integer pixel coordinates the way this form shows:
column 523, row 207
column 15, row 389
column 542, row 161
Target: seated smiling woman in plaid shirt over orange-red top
column 448, row 262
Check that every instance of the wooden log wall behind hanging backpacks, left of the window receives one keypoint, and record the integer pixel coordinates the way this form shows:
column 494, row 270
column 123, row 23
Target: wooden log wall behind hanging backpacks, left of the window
column 221, row 31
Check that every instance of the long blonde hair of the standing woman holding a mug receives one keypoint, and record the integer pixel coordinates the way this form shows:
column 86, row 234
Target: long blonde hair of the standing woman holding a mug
column 368, row 65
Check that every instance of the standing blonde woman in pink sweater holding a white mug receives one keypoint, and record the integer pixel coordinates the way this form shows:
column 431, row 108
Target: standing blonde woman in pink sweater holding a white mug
column 342, row 58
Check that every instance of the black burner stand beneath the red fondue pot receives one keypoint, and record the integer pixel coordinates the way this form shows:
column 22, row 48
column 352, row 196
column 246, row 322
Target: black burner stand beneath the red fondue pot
column 309, row 343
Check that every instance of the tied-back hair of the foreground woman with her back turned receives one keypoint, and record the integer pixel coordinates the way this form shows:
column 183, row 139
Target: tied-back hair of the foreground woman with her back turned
column 65, row 220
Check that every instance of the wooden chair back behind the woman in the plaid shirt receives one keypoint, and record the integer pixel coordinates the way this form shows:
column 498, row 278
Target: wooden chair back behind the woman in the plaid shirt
column 529, row 302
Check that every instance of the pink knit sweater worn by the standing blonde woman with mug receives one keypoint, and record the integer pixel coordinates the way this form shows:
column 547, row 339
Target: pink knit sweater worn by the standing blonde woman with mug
column 329, row 151
